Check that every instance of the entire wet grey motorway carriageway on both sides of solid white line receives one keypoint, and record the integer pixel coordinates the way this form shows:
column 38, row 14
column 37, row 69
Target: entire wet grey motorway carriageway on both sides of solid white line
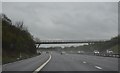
column 65, row 62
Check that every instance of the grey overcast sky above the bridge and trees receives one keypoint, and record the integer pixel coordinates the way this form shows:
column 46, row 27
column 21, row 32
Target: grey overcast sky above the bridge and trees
column 74, row 21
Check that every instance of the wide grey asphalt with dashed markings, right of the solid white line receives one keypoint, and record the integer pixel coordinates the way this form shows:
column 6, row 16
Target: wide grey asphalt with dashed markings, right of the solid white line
column 77, row 62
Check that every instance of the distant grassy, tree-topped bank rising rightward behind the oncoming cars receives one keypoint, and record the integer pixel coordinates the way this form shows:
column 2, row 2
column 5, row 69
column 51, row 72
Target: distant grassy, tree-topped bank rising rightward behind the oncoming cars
column 112, row 44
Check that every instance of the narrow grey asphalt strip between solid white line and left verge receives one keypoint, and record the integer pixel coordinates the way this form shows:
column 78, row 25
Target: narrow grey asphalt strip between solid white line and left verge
column 26, row 65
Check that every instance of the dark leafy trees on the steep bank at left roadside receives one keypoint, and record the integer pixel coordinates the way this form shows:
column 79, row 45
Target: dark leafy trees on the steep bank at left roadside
column 16, row 40
